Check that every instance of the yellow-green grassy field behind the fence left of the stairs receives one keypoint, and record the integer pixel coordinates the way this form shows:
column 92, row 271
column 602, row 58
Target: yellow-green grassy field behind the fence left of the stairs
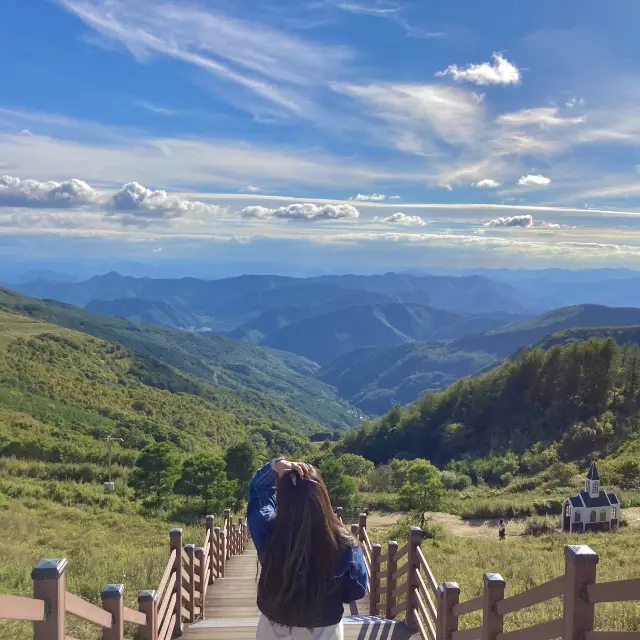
column 102, row 547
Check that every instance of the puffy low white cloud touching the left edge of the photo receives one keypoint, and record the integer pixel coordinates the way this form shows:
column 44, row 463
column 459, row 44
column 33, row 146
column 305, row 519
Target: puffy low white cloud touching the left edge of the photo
column 33, row 193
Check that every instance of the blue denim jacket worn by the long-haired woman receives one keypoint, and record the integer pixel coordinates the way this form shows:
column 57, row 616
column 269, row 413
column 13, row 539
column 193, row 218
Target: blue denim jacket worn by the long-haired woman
column 351, row 575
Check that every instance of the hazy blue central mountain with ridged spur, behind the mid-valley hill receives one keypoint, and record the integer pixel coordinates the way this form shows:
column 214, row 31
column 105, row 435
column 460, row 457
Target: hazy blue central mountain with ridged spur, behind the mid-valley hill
column 325, row 337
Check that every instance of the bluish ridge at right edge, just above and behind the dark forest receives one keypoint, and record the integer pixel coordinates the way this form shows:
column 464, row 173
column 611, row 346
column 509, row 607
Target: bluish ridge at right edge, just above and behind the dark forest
column 509, row 339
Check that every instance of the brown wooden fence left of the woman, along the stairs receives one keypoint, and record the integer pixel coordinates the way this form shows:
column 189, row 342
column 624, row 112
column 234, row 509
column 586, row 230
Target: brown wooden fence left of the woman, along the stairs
column 161, row 613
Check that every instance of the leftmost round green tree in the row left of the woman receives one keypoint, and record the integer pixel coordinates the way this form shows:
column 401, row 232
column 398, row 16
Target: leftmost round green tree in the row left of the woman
column 157, row 470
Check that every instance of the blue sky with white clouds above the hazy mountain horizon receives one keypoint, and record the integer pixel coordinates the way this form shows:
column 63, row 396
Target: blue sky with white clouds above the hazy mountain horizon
column 488, row 134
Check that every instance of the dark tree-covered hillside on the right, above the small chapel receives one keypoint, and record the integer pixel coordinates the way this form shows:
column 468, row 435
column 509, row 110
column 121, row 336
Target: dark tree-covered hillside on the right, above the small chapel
column 580, row 399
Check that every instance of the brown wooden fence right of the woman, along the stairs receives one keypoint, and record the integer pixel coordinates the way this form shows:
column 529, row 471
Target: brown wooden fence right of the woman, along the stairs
column 401, row 583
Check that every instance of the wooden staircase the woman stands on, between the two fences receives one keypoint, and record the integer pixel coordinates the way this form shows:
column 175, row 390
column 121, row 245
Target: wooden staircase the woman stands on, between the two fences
column 230, row 611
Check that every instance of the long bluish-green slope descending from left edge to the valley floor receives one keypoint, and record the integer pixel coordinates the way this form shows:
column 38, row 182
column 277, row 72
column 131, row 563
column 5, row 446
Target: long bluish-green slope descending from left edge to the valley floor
column 279, row 385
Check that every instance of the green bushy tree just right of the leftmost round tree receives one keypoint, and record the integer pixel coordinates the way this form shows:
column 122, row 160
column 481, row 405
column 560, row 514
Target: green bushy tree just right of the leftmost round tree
column 204, row 475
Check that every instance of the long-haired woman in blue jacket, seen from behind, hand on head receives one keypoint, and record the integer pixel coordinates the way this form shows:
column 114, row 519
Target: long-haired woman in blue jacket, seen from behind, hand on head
column 310, row 563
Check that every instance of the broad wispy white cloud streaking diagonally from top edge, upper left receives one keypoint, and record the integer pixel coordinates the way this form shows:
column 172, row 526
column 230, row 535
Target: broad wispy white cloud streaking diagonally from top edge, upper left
column 257, row 57
